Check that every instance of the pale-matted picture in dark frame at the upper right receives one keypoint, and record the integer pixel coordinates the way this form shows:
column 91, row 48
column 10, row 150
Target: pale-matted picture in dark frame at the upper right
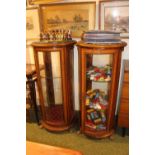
column 114, row 16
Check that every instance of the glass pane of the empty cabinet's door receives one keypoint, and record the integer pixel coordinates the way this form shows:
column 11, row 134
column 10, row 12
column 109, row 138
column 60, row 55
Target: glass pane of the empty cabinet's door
column 51, row 82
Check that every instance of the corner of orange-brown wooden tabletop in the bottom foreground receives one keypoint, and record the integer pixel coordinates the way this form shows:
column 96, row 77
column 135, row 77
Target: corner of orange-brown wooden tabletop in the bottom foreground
column 42, row 149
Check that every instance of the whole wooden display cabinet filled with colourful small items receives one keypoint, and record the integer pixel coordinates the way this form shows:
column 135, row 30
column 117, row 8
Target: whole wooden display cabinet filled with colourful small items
column 99, row 69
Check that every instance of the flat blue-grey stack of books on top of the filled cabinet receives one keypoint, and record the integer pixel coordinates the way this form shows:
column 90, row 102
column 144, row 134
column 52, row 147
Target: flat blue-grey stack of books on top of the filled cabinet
column 101, row 37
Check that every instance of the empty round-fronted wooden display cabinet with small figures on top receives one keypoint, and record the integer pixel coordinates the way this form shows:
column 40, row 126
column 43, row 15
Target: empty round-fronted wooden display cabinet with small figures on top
column 55, row 83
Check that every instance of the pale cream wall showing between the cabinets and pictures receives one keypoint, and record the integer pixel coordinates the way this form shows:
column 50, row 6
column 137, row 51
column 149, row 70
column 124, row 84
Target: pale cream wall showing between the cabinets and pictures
column 125, row 55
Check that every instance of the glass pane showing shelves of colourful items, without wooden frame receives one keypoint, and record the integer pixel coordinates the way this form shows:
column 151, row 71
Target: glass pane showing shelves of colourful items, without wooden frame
column 98, row 81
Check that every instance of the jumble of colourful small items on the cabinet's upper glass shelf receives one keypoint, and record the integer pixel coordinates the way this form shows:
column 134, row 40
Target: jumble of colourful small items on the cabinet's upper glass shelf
column 100, row 73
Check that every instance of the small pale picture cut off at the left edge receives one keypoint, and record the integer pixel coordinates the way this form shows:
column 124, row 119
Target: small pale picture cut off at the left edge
column 32, row 24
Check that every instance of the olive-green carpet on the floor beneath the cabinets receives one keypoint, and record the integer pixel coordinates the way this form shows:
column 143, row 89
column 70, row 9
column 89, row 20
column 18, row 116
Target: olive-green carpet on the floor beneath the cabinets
column 72, row 140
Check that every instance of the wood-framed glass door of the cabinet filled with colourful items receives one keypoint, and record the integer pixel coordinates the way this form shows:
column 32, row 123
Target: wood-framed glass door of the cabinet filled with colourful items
column 96, row 81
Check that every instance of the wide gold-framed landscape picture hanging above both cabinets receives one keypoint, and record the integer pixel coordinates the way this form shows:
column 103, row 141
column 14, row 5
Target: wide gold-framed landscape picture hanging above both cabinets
column 77, row 17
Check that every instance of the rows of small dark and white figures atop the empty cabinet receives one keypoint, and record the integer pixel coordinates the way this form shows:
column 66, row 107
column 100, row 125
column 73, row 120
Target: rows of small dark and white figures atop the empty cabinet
column 56, row 35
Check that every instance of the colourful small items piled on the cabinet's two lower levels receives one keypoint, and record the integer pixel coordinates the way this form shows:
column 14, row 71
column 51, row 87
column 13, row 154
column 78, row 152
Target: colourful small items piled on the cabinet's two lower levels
column 96, row 106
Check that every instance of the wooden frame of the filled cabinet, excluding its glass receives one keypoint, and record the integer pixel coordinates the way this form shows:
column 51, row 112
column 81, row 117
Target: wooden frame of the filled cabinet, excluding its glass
column 85, row 49
